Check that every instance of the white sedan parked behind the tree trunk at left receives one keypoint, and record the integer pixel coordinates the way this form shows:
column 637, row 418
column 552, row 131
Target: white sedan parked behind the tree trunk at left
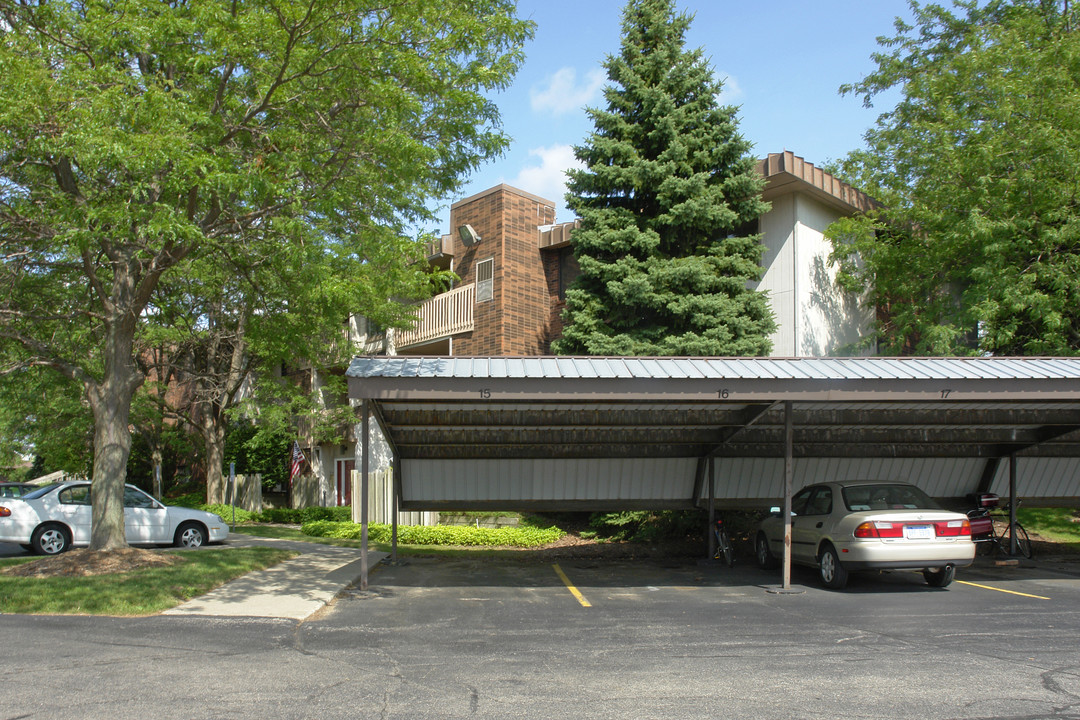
column 58, row 518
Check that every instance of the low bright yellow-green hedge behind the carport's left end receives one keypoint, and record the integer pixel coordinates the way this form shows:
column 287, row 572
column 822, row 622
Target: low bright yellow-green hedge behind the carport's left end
column 440, row 535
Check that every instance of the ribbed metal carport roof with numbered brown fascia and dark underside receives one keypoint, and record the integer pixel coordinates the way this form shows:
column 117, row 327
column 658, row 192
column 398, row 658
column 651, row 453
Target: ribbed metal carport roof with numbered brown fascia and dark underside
column 650, row 407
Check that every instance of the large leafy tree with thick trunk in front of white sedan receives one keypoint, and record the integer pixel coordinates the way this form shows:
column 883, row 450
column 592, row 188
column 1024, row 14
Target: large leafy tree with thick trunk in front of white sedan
column 170, row 167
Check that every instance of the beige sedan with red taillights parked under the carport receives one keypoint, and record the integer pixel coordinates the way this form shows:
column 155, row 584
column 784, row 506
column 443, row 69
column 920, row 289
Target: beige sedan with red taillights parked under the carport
column 863, row 525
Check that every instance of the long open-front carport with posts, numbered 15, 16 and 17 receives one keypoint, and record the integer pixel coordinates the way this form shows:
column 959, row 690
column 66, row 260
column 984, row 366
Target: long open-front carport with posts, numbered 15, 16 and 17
column 614, row 433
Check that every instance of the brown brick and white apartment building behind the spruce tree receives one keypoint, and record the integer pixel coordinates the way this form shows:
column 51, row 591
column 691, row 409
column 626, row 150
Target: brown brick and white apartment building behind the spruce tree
column 515, row 263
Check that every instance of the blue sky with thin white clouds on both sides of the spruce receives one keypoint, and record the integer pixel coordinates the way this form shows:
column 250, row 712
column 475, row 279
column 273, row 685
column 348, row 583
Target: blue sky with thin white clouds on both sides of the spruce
column 782, row 61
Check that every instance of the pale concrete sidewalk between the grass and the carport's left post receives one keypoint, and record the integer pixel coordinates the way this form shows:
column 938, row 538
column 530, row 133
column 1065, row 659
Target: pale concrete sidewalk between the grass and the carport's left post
column 292, row 590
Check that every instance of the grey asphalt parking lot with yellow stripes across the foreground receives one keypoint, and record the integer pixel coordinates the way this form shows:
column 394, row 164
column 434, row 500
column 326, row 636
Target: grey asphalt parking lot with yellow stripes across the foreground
column 455, row 639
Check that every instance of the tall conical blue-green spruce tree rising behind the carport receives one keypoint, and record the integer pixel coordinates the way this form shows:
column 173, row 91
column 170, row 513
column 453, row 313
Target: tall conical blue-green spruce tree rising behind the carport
column 666, row 200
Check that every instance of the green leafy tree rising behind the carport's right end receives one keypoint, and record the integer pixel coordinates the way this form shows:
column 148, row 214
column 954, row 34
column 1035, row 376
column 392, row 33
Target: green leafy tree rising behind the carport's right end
column 978, row 250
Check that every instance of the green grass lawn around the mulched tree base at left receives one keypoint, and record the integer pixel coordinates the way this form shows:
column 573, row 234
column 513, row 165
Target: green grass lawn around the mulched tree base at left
column 138, row 593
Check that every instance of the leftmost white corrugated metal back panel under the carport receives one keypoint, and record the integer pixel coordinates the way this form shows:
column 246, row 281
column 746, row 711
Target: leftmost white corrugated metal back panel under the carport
column 515, row 481
